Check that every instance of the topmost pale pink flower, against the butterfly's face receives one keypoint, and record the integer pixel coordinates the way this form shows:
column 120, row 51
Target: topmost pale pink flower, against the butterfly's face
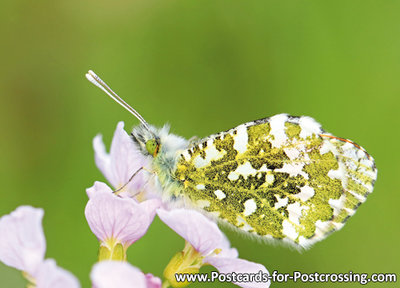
column 123, row 161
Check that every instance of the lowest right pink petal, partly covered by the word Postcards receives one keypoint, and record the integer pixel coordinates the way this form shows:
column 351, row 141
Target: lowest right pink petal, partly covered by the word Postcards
column 229, row 265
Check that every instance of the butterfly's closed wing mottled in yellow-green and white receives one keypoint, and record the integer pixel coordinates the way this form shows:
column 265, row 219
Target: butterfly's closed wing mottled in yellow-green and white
column 279, row 178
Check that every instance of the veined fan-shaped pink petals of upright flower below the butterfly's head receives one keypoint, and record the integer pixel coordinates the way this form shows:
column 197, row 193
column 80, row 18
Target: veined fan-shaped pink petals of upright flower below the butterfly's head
column 110, row 216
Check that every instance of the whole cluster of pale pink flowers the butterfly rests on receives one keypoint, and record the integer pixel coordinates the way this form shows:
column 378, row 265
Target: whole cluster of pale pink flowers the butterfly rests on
column 118, row 218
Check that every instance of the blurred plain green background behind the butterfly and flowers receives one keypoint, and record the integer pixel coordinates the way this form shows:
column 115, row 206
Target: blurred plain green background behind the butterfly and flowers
column 204, row 67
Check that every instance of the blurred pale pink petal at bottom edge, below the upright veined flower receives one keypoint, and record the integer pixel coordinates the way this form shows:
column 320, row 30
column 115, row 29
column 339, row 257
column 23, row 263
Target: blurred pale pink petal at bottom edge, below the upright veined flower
column 116, row 274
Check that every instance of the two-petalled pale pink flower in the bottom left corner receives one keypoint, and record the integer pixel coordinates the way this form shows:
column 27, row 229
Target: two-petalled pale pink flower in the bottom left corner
column 23, row 245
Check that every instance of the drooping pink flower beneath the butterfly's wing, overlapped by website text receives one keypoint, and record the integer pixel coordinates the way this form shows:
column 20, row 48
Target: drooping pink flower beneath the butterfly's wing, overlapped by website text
column 210, row 245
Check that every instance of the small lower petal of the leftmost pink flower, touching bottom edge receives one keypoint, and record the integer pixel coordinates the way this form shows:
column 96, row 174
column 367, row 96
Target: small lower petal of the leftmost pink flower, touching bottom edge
column 49, row 275
